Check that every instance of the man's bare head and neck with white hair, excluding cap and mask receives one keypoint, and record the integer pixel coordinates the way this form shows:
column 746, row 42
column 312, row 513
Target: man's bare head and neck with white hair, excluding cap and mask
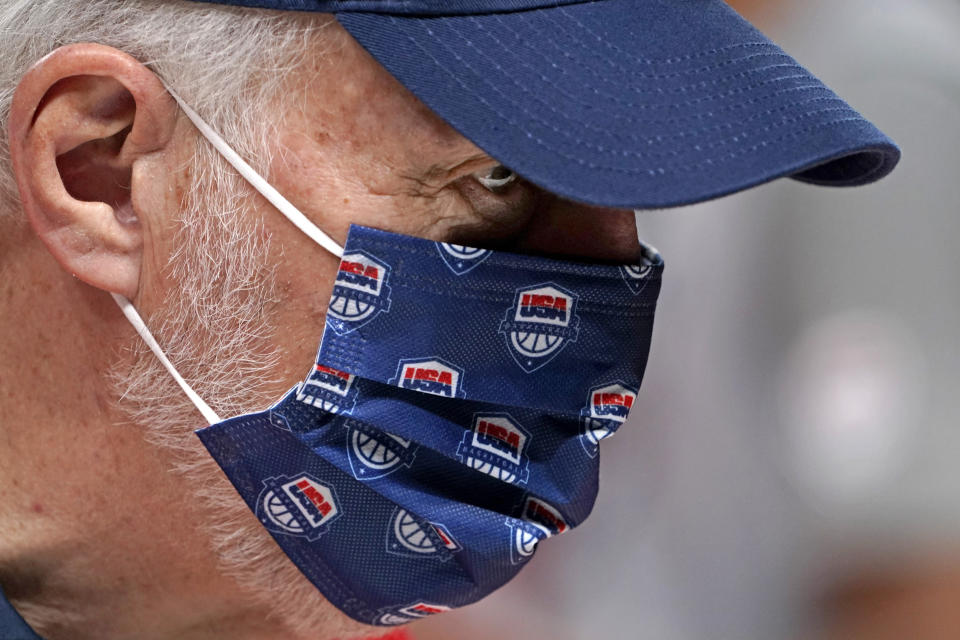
column 118, row 193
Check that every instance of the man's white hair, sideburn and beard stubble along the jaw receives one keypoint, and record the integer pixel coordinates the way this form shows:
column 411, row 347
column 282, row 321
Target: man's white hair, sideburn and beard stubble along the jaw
column 229, row 64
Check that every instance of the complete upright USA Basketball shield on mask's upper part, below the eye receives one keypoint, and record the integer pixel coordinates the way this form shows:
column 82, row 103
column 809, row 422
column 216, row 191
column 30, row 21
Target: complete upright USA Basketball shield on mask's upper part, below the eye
column 542, row 321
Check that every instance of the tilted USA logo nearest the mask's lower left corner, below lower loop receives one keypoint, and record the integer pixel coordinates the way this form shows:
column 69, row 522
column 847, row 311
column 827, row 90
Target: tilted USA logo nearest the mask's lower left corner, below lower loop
column 298, row 506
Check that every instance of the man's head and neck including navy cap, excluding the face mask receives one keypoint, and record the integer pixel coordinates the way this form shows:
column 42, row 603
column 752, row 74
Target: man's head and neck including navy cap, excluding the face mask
column 114, row 522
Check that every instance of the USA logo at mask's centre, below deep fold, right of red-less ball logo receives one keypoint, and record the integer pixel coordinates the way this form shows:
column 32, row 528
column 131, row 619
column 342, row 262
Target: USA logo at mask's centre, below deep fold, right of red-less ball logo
column 496, row 446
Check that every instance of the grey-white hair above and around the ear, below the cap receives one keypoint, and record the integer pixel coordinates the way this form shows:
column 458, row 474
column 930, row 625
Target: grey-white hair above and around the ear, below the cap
column 226, row 62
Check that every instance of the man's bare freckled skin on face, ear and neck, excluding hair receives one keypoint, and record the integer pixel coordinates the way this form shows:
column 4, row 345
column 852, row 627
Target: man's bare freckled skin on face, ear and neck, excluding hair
column 83, row 497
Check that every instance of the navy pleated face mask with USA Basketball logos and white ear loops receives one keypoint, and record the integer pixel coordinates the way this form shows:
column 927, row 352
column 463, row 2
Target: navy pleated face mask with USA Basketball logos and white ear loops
column 451, row 421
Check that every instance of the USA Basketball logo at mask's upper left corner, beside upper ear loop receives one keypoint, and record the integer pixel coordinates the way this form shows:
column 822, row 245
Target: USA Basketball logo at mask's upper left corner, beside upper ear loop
column 360, row 292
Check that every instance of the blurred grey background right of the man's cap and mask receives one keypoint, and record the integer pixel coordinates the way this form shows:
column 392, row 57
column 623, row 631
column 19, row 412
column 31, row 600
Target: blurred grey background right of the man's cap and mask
column 791, row 468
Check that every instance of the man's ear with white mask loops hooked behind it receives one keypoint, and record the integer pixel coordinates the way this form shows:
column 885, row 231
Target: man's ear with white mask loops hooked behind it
column 81, row 118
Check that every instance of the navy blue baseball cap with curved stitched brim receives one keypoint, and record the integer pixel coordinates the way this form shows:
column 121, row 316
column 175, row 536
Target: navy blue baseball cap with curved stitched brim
column 621, row 103
